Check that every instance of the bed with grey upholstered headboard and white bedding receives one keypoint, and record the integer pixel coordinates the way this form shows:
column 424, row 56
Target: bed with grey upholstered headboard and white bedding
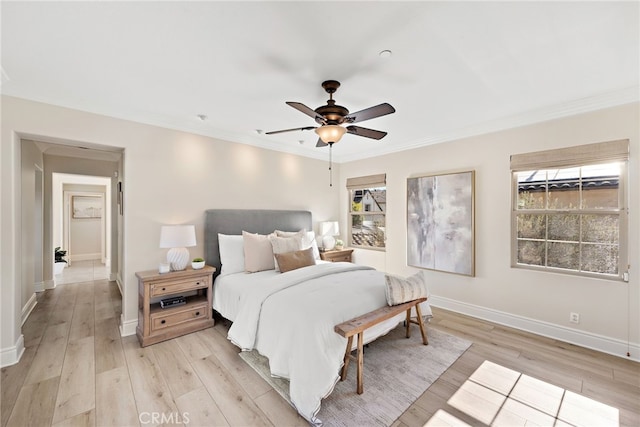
column 289, row 317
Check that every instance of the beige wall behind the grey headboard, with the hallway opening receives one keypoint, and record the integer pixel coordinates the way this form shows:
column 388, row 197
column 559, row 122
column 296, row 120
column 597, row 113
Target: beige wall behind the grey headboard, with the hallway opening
column 169, row 177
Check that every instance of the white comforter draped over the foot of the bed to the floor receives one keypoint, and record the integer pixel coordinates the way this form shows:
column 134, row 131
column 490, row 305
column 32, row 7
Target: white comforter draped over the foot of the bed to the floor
column 290, row 319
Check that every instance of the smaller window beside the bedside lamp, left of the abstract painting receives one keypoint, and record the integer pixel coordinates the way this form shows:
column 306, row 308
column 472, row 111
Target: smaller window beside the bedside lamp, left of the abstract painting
column 367, row 211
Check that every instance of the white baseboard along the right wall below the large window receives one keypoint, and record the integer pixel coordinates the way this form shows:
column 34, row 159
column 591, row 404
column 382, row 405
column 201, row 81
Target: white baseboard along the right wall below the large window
column 601, row 343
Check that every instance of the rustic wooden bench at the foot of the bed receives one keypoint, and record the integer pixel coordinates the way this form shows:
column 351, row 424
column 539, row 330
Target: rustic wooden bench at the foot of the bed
column 361, row 323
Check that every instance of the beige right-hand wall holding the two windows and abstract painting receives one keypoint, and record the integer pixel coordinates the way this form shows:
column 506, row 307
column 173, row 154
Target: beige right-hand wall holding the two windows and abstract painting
column 609, row 310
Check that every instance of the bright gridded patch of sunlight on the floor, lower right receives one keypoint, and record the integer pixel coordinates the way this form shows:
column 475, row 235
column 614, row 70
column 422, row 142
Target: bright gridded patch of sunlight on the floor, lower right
column 498, row 396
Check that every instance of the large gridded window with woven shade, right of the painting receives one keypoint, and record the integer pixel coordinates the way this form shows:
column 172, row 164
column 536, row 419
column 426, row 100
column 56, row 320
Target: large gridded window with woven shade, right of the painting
column 569, row 210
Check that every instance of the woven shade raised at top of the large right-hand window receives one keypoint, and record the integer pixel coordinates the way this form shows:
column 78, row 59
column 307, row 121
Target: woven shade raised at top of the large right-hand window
column 599, row 152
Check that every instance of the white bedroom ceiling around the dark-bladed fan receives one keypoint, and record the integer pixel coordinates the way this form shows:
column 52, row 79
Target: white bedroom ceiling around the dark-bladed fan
column 457, row 68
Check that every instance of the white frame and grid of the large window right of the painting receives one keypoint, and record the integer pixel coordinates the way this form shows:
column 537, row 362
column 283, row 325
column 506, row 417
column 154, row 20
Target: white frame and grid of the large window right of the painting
column 611, row 152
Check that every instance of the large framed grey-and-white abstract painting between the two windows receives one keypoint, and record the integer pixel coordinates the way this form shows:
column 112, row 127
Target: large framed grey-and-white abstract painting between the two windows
column 440, row 222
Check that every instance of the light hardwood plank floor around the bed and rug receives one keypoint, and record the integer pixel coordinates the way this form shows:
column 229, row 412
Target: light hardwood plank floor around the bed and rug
column 78, row 371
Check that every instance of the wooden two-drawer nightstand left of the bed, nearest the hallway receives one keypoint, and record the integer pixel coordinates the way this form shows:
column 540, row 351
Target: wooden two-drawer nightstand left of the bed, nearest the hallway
column 157, row 324
